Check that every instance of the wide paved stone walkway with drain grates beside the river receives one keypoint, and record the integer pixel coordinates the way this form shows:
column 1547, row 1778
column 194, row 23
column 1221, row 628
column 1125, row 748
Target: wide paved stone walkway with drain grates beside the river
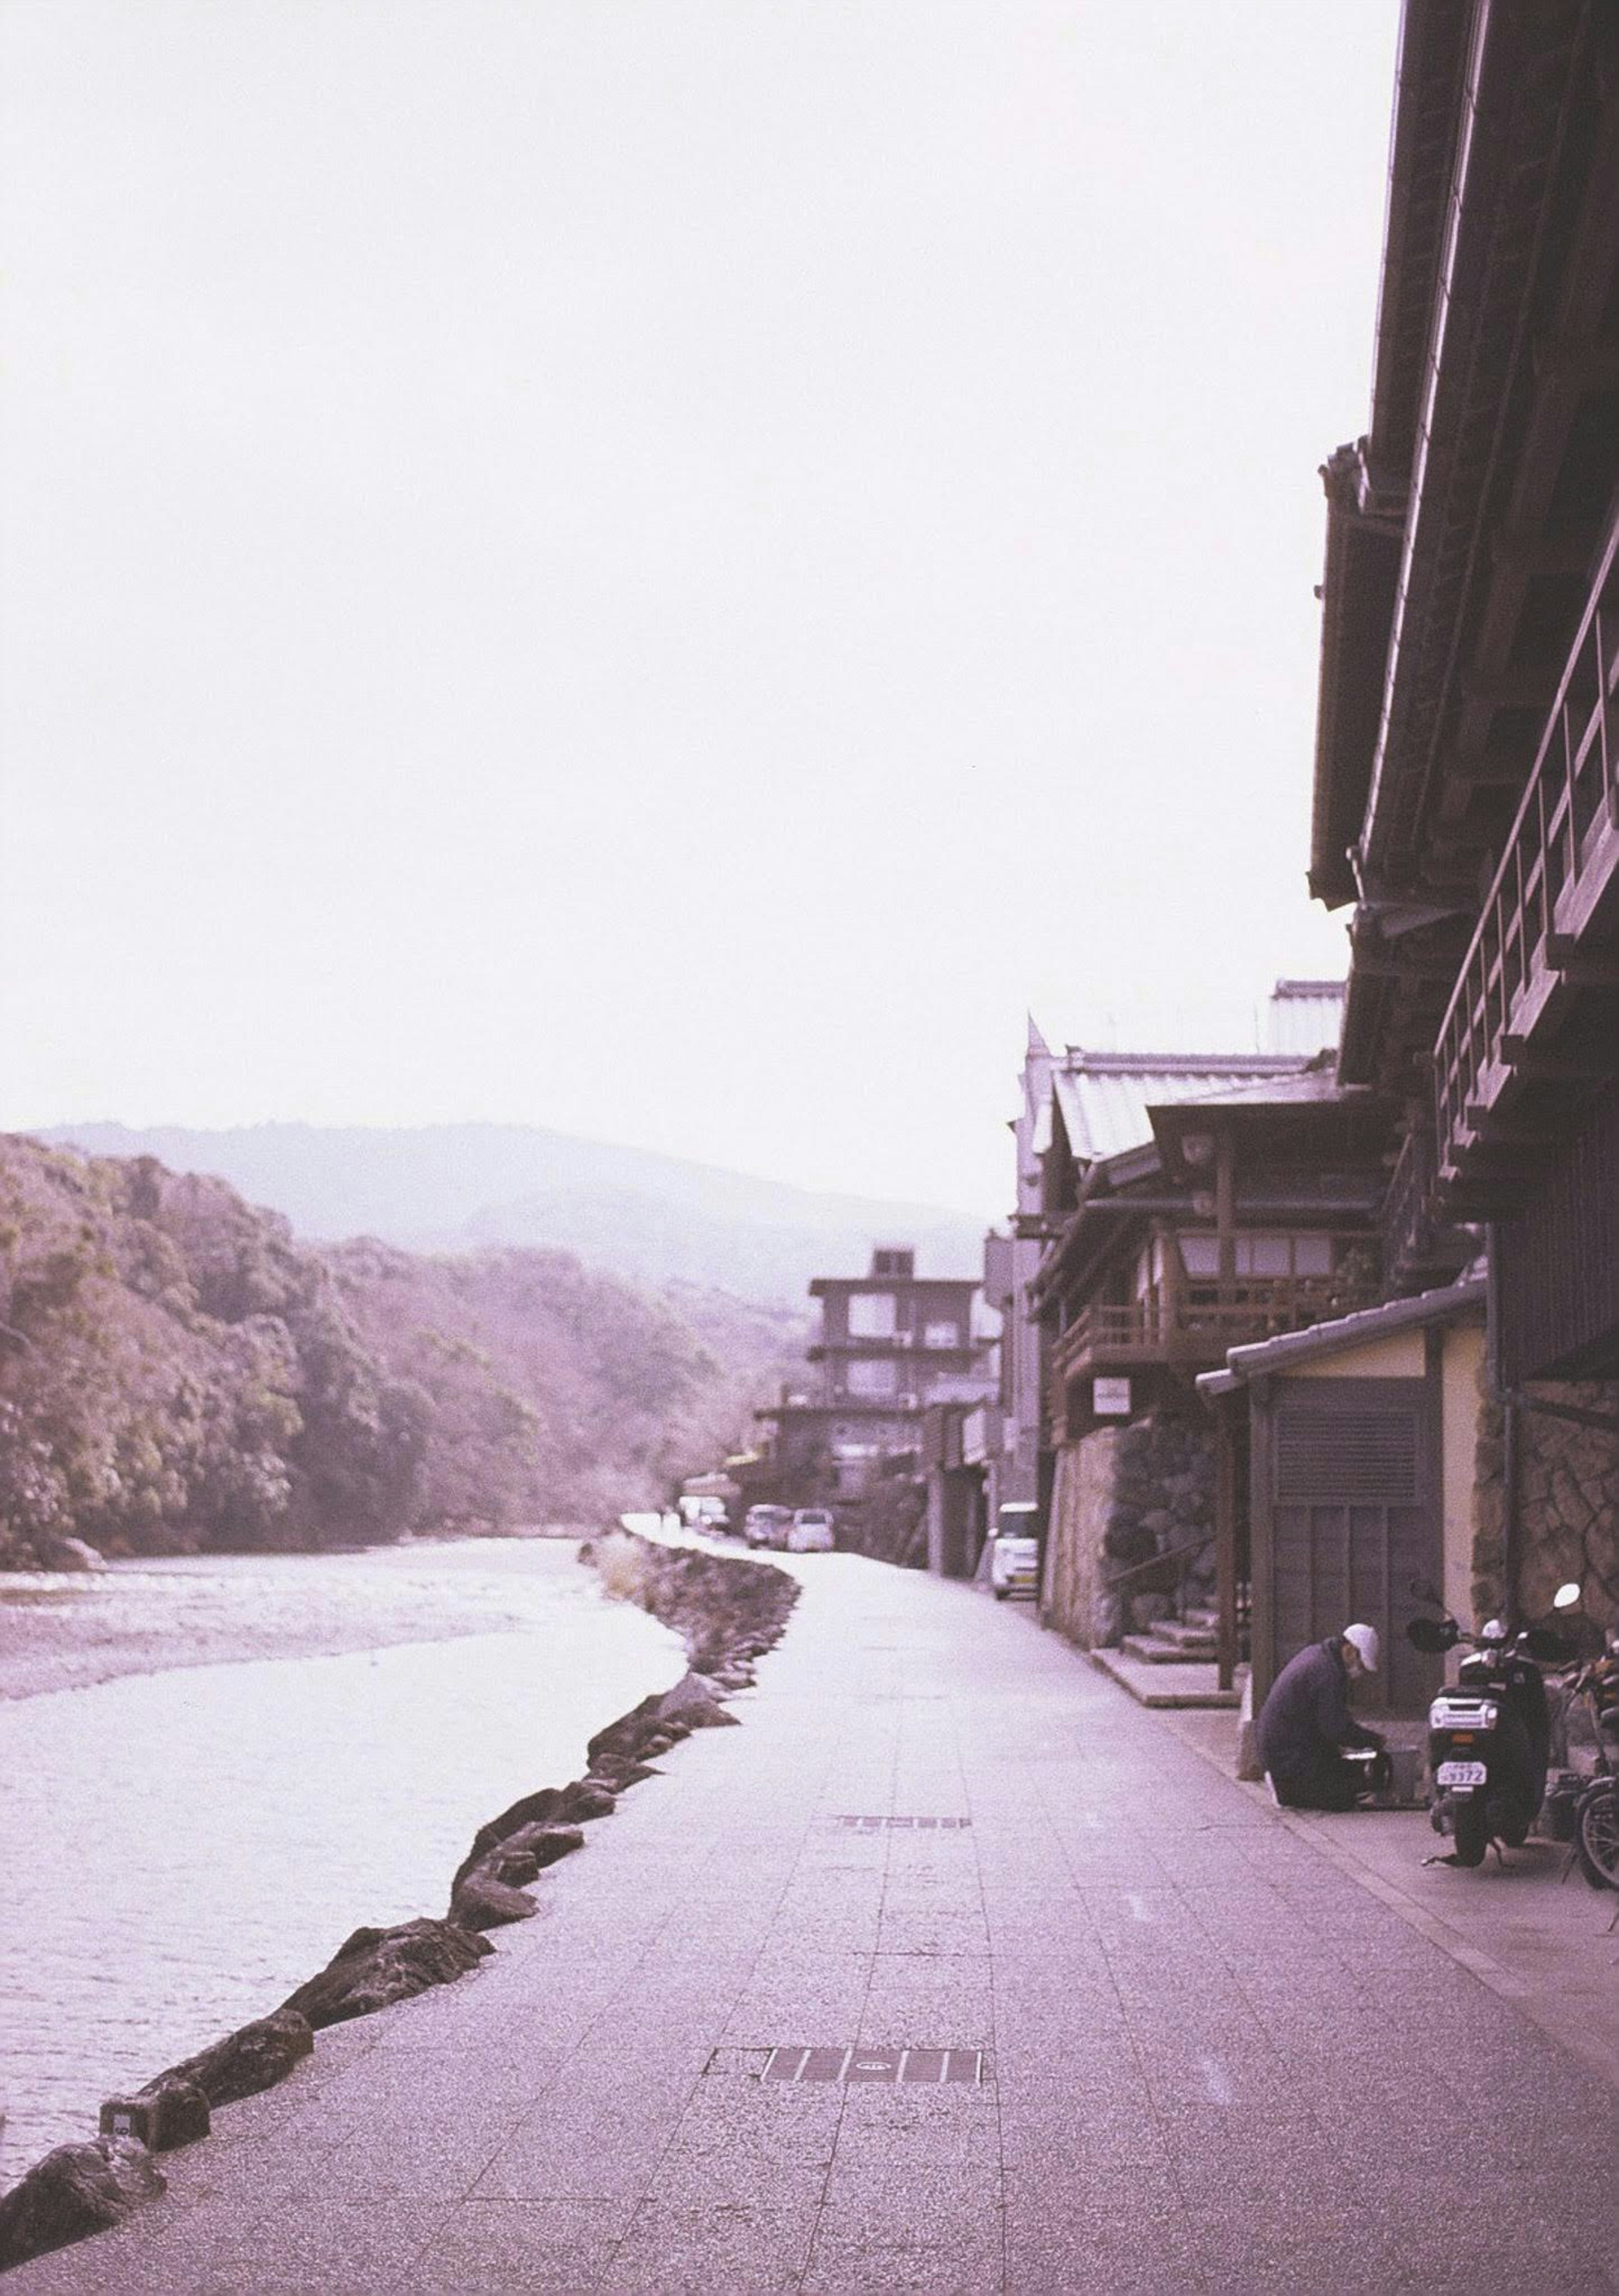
column 1211, row 2061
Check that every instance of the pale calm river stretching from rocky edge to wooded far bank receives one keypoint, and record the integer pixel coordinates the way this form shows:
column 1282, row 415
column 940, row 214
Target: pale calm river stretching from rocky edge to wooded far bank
column 185, row 1847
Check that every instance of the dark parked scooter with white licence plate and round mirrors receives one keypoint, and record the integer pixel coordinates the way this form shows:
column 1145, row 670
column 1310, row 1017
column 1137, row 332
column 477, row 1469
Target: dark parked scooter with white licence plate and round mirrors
column 1489, row 1739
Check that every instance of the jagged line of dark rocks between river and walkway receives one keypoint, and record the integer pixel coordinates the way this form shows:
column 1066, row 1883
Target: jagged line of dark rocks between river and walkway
column 727, row 1611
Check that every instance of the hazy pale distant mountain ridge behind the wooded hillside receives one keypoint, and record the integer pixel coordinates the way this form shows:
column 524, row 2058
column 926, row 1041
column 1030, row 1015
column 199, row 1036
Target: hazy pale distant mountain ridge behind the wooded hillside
column 454, row 1188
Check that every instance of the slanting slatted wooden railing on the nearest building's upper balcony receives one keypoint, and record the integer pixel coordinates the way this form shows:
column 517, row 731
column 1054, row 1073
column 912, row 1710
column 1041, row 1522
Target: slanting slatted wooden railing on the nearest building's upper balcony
column 1558, row 867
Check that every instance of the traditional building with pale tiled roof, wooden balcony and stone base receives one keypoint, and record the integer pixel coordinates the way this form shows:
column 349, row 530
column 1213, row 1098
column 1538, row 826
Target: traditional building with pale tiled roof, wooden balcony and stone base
column 1186, row 1202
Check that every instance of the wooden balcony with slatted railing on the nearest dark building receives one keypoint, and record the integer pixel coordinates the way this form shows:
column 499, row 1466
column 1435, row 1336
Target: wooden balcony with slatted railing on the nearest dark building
column 1537, row 998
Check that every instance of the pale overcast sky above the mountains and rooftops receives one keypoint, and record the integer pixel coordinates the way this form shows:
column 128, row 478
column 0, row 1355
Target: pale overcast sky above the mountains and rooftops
column 665, row 568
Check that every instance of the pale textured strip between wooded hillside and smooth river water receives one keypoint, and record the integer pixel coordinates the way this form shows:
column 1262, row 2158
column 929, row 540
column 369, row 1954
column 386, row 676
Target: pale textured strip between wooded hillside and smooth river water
column 75, row 1629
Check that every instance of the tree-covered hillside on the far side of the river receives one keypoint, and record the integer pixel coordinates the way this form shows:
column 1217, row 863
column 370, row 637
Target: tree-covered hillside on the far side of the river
column 178, row 1372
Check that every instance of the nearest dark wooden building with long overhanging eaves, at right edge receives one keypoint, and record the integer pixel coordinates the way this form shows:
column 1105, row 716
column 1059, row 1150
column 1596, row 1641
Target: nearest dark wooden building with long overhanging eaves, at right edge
column 1466, row 802
